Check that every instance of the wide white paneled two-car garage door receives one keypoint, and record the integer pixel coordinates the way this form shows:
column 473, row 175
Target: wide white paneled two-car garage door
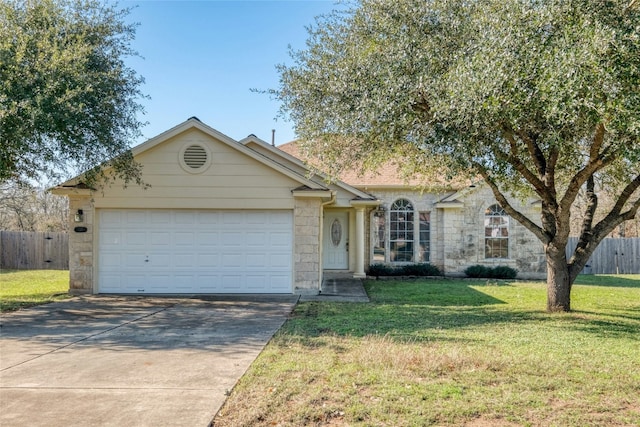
column 184, row 251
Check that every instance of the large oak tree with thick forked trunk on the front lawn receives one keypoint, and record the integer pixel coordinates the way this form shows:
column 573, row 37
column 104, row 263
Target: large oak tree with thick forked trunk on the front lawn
column 538, row 97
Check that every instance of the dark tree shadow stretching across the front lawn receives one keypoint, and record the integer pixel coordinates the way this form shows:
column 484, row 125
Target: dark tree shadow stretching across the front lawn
column 424, row 311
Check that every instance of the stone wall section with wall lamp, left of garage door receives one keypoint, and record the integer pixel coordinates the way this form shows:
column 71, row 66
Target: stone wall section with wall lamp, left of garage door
column 81, row 257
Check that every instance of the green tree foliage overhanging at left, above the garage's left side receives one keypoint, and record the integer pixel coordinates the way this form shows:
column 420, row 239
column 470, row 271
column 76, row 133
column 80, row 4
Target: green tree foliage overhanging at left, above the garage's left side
column 68, row 102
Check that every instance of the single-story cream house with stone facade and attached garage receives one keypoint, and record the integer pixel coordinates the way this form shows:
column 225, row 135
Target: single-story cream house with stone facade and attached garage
column 227, row 216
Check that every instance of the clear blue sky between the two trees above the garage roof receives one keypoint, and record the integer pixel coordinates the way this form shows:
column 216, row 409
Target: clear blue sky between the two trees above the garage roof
column 202, row 58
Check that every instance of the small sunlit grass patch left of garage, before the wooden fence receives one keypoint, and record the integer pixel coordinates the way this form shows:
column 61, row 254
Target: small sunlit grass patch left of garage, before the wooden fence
column 26, row 288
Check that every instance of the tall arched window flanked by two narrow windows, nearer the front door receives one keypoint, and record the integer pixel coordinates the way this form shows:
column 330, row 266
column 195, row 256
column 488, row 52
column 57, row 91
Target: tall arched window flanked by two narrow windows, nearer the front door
column 401, row 231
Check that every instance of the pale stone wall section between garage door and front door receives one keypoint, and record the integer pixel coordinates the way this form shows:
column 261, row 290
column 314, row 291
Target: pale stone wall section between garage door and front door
column 306, row 249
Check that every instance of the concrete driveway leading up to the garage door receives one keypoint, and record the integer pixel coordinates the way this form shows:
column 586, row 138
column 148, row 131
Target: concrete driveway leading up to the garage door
column 130, row 361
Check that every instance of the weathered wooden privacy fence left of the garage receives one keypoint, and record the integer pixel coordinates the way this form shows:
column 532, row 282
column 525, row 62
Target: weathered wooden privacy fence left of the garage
column 34, row 250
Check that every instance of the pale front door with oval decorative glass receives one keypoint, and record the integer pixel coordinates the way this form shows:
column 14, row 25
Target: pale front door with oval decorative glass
column 335, row 254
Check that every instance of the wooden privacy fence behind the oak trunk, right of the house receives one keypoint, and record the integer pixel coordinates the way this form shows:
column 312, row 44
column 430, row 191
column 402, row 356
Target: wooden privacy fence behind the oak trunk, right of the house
column 612, row 256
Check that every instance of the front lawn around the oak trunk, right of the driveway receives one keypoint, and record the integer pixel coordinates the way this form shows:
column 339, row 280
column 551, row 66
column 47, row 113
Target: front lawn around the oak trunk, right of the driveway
column 451, row 353
